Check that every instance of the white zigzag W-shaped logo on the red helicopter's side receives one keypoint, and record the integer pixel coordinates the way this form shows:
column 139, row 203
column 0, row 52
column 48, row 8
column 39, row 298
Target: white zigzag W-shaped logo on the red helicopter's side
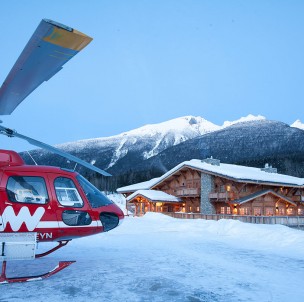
column 24, row 216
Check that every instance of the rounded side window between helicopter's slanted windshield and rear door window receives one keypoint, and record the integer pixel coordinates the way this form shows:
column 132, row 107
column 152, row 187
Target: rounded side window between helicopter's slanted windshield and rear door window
column 67, row 193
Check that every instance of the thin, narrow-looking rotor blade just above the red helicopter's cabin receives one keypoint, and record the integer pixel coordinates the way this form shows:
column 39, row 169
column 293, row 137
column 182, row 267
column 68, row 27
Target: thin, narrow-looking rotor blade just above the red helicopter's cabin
column 12, row 133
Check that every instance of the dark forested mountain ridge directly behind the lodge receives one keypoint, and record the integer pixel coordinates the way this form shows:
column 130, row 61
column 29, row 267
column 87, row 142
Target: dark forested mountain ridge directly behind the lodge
column 252, row 143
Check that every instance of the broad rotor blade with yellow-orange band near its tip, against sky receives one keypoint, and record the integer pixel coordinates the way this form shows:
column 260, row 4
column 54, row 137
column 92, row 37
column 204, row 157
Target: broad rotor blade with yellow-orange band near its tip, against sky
column 50, row 47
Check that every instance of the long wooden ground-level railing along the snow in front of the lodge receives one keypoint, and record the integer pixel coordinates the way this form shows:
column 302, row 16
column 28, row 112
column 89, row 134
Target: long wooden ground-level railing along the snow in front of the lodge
column 292, row 221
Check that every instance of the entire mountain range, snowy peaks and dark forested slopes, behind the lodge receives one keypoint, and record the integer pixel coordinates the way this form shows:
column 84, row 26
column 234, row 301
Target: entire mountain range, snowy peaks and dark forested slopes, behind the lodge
column 151, row 150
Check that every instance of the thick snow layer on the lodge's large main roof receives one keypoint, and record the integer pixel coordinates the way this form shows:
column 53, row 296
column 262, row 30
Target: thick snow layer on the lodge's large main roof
column 236, row 172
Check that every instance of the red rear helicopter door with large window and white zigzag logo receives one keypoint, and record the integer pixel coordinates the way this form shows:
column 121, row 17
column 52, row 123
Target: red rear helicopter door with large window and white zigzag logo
column 27, row 203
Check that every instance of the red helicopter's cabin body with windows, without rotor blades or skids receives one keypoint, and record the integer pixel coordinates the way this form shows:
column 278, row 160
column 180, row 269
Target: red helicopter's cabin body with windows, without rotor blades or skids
column 55, row 203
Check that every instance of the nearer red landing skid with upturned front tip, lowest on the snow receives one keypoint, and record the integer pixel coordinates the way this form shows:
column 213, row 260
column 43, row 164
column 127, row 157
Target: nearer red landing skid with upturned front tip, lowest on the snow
column 4, row 280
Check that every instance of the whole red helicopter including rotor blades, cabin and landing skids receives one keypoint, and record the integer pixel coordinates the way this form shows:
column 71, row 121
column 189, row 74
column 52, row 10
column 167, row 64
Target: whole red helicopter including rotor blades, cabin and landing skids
column 43, row 203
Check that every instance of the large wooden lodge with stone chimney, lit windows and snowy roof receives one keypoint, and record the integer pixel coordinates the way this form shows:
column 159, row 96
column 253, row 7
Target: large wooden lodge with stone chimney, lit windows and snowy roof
column 209, row 187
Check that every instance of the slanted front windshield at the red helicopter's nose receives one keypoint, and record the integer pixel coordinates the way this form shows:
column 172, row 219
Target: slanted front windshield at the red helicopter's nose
column 94, row 196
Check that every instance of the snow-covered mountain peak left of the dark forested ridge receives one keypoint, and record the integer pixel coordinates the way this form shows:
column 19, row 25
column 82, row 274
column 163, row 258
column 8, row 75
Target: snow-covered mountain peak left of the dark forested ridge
column 145, row 142
